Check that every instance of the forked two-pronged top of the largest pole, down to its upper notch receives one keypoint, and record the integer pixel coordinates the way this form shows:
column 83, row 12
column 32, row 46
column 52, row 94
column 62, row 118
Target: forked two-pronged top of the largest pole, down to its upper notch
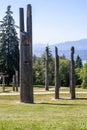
column 26, row 37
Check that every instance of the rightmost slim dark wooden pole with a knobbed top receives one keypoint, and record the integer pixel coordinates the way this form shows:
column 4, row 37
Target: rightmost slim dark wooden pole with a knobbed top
column 72, row 75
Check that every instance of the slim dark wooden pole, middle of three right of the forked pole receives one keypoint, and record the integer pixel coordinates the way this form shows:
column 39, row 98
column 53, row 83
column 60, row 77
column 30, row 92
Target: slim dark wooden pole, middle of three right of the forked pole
column 57, row 80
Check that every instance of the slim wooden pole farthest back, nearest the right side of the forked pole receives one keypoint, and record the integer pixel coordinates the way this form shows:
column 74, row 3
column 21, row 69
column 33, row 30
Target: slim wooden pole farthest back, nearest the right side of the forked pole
column 47, row 70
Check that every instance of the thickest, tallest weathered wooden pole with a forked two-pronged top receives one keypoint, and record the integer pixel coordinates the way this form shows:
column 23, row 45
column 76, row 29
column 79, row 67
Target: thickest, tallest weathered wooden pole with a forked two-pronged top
column 26, row 90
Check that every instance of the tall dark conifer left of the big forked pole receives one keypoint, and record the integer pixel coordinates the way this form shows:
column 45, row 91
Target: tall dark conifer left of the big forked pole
column 9, row 51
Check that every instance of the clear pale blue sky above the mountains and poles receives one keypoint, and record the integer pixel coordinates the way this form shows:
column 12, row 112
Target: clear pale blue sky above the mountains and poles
column 54, row 21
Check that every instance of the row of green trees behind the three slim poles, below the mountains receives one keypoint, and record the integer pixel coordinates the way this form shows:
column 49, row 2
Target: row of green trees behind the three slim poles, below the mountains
column 64, row 70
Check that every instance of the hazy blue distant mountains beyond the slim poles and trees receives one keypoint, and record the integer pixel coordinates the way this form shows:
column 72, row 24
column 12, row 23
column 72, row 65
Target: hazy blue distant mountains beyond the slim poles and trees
column 64, row 48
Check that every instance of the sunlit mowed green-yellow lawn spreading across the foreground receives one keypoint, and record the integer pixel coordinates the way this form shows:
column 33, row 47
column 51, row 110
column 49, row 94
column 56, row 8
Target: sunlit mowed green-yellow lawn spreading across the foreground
column 45, row 114
